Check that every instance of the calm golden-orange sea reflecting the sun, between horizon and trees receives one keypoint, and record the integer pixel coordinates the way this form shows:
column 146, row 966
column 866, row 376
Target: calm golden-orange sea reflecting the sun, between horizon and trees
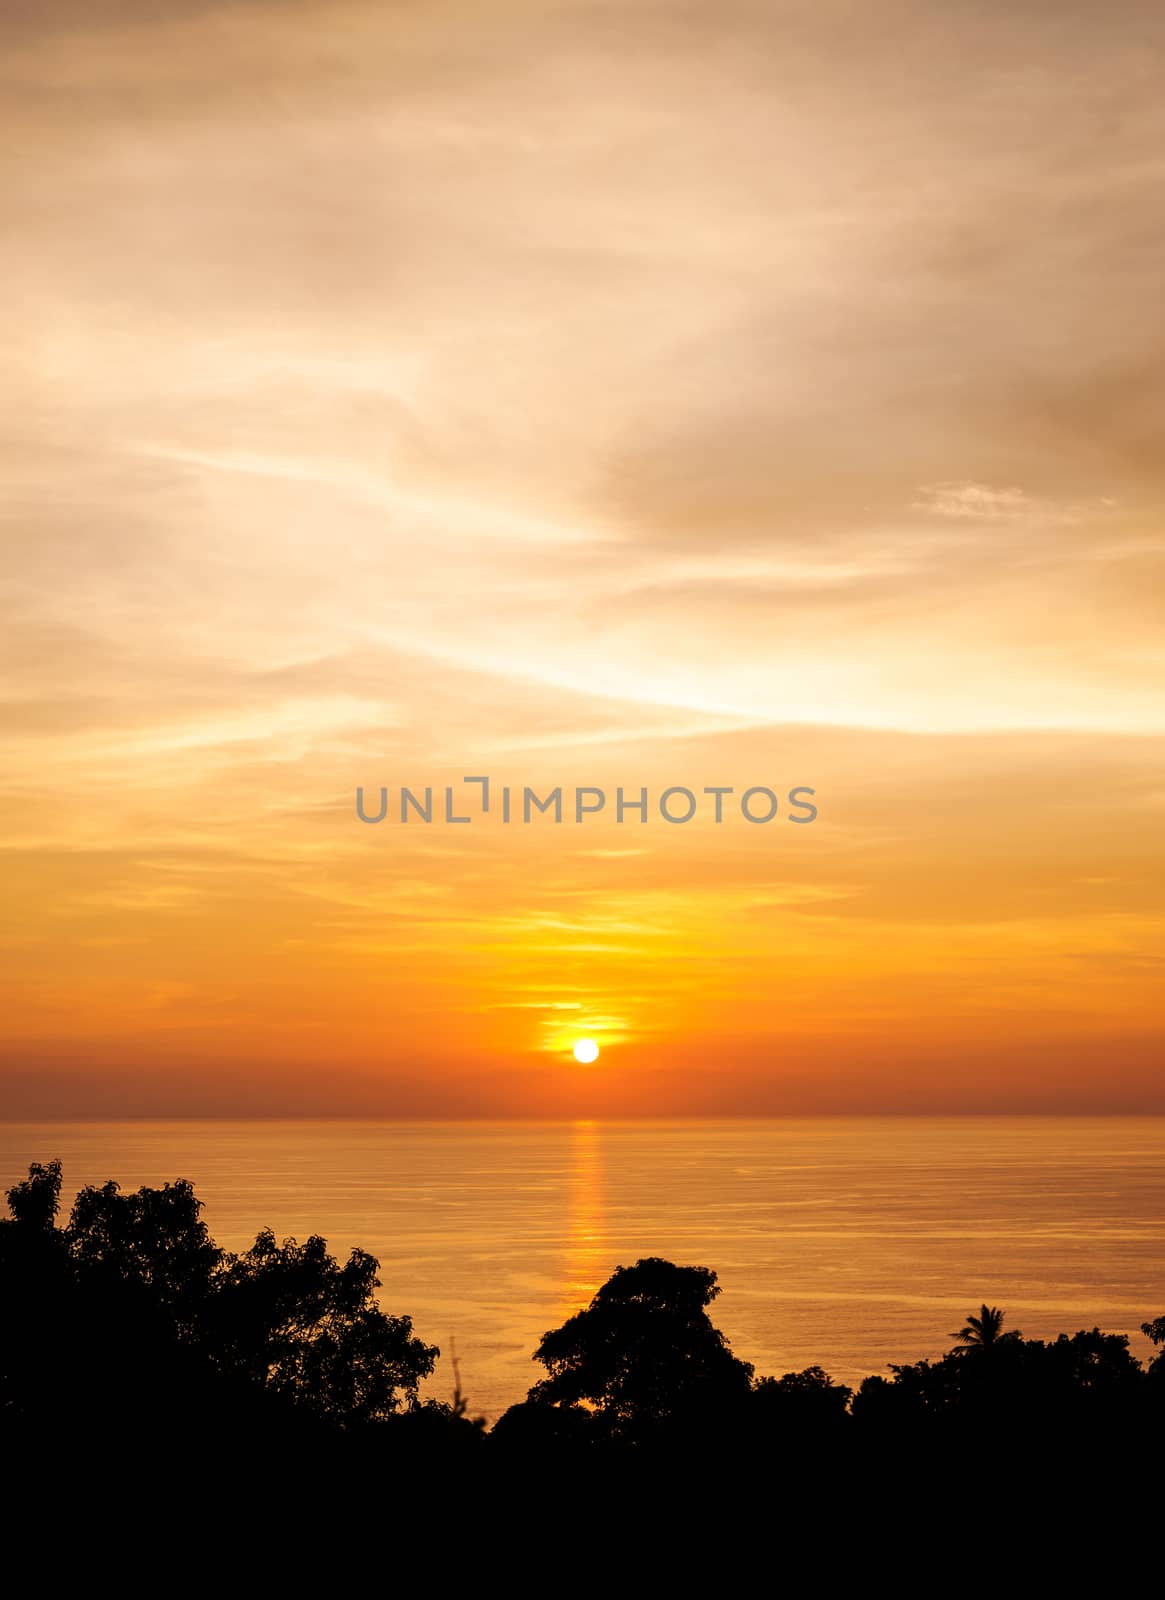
column 844, row 1242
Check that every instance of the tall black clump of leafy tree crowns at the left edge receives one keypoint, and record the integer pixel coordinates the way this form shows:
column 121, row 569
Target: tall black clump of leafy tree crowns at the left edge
column 134, row 1302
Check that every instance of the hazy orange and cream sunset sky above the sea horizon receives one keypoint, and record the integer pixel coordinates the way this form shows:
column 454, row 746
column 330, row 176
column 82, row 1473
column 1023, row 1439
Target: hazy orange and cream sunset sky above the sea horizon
column 582, row 394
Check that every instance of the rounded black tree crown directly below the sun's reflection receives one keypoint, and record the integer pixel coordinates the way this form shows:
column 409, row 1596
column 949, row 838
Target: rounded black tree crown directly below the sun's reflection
column 644, row 1353
